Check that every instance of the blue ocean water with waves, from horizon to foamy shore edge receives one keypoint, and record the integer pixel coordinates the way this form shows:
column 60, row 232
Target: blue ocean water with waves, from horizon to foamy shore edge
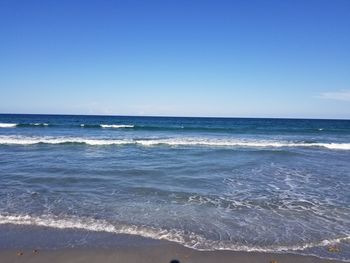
column 277, row 185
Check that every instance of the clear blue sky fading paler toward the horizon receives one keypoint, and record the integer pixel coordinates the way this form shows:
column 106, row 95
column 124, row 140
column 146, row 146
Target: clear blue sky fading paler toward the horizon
column 247, row 58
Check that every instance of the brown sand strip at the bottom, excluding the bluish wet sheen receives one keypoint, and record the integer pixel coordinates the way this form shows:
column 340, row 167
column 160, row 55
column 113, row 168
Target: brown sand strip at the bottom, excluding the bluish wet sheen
column 148, row 254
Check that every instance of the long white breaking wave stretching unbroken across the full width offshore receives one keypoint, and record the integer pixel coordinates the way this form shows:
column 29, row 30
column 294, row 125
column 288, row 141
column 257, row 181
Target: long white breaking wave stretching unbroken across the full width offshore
column 18, row 140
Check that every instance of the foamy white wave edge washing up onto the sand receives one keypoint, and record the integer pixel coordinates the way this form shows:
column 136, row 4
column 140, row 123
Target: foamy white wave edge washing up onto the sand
column 186, row 238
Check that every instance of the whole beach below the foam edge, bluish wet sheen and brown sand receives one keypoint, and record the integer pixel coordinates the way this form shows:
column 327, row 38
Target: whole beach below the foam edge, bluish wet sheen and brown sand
column 37, row 244
